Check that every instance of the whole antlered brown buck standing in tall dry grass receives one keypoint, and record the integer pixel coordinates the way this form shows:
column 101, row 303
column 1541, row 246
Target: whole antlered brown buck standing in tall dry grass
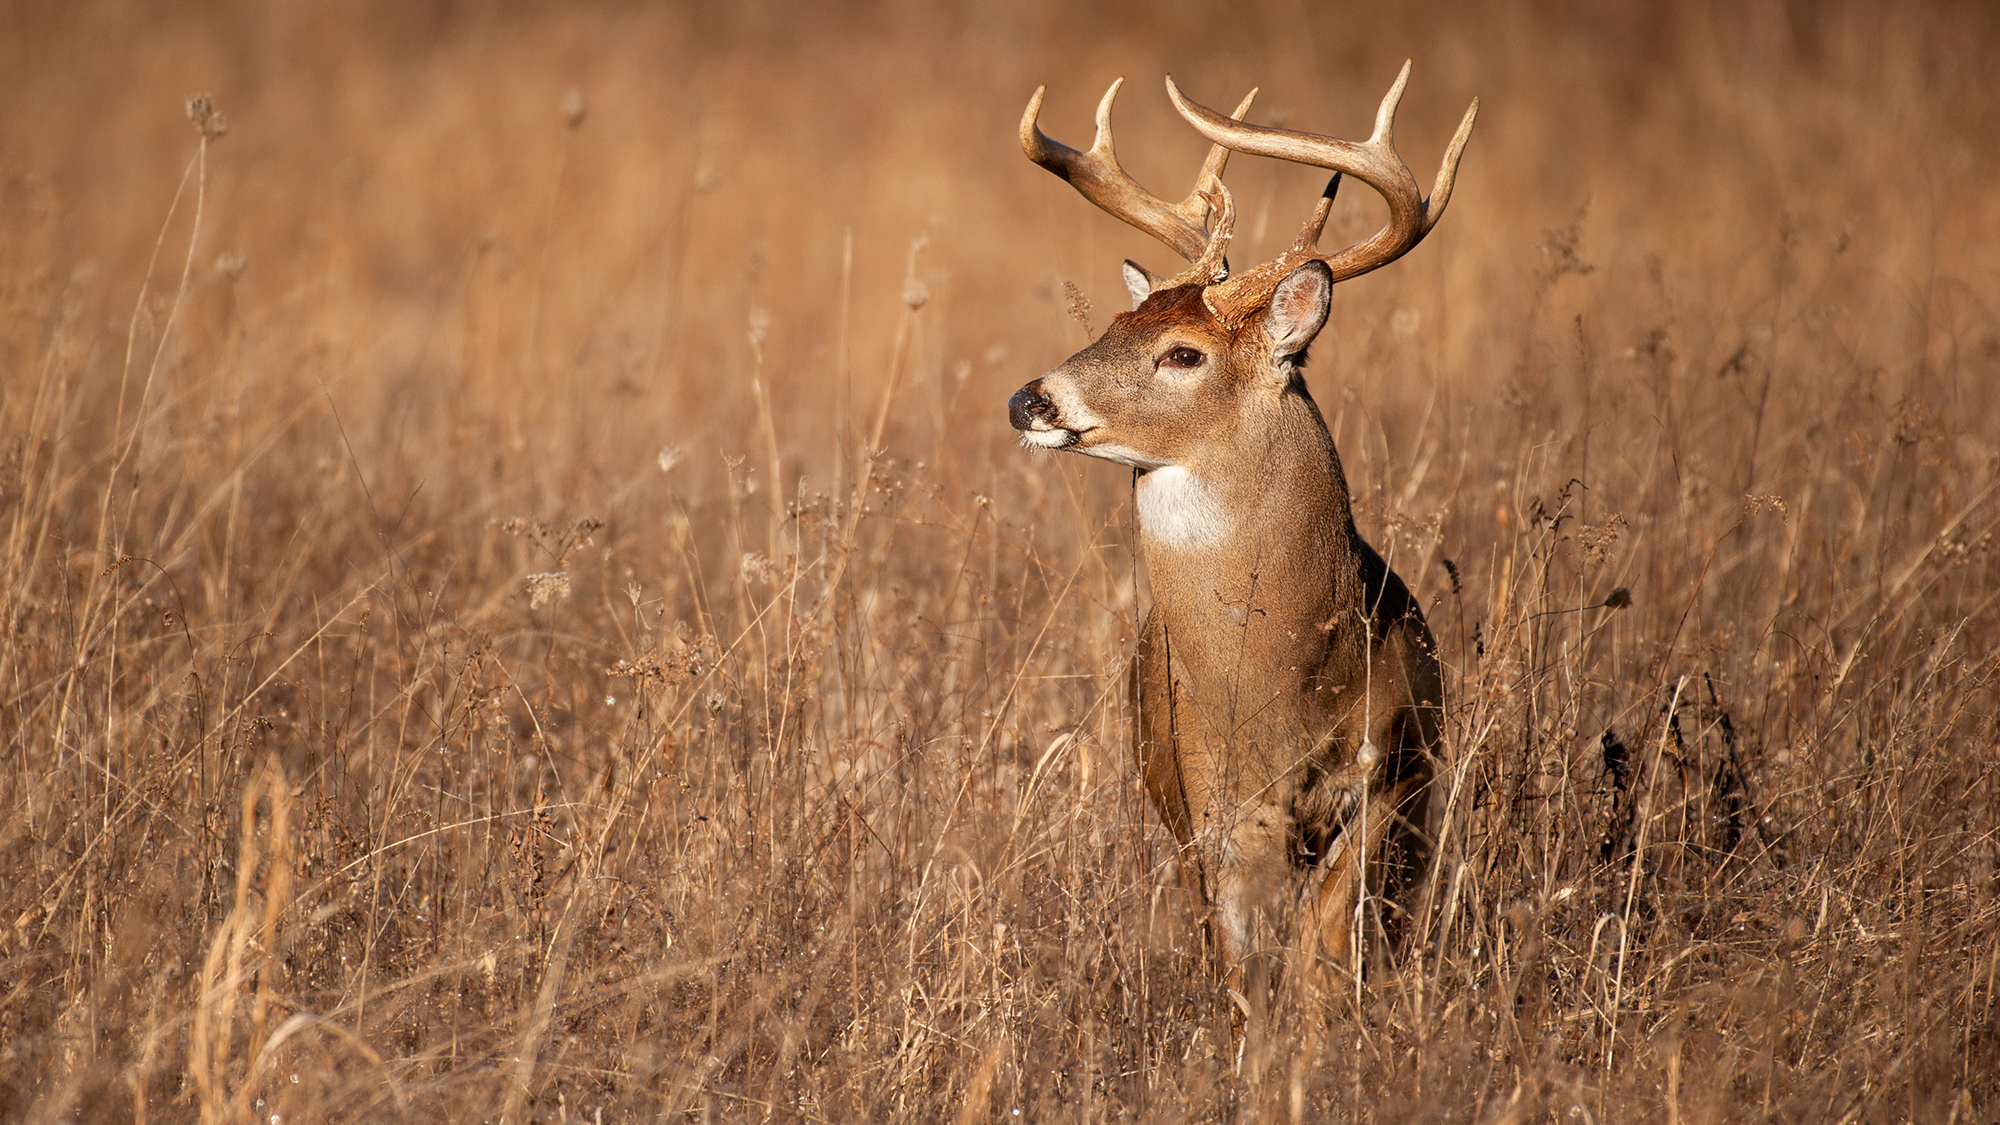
column 1285, row 696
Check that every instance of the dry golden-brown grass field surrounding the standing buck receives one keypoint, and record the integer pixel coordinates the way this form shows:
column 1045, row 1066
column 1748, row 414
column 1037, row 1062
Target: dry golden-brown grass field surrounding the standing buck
column 523, row 604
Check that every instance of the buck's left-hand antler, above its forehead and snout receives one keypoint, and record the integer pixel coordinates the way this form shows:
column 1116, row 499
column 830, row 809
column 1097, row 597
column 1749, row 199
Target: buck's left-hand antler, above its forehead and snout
column 1103, row 181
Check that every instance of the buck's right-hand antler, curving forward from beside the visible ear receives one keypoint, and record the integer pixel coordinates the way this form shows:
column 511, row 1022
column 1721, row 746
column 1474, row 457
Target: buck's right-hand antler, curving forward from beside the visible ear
column 1373, row 163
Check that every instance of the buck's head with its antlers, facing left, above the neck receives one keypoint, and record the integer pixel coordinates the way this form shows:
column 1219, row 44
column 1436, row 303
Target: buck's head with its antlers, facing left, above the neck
column 1183, row 361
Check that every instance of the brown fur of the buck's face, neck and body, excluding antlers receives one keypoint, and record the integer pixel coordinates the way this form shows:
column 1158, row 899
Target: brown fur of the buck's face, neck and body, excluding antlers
column 1273, row 654
